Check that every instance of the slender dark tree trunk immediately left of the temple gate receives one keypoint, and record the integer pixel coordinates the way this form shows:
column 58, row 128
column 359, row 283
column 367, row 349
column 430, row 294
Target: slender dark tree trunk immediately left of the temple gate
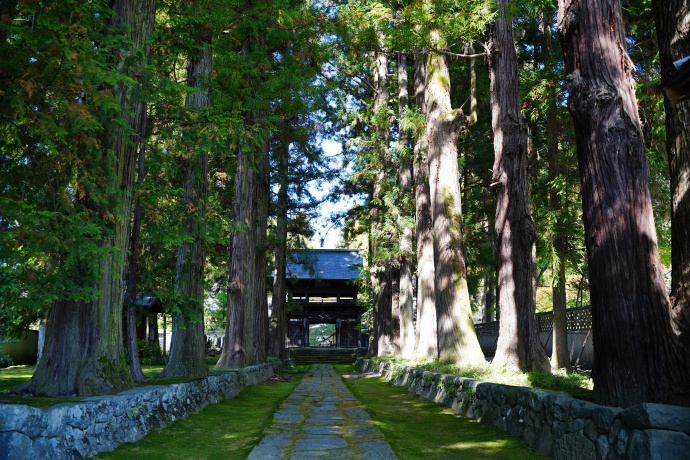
column 278, row 324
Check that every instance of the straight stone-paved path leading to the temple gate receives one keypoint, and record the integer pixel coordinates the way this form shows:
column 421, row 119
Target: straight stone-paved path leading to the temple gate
column 321, row 419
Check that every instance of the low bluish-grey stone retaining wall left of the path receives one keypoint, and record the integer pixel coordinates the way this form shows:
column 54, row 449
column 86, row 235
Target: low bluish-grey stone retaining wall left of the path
column 101, row 423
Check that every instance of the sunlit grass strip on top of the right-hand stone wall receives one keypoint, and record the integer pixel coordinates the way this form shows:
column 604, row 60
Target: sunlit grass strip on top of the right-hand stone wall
column 578, row 384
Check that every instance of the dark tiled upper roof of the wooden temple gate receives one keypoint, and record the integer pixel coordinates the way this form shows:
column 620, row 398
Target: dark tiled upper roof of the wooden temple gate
column 327, row 264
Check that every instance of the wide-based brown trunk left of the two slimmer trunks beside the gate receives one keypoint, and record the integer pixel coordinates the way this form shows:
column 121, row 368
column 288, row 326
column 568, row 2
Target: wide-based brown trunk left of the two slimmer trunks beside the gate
column 240, row 269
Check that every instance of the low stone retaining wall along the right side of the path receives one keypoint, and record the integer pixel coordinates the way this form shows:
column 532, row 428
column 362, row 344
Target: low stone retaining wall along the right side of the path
column 554, row 423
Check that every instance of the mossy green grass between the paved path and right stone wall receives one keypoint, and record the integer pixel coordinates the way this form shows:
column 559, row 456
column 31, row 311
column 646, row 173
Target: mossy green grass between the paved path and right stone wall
column 416, row 428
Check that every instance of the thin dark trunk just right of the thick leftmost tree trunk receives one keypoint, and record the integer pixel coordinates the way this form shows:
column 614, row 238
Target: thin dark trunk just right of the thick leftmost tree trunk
column 135, row 238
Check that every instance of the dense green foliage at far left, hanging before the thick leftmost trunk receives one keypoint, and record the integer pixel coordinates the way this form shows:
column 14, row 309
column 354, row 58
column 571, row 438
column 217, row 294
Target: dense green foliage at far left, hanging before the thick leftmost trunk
column 57, row 195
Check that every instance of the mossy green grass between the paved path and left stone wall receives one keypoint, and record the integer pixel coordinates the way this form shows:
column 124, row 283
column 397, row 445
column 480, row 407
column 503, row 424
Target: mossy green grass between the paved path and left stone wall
column 227, row 430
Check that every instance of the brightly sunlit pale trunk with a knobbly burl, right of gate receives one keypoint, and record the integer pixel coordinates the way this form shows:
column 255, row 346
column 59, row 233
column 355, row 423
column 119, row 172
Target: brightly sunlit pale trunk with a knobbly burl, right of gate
column 457, row 340
